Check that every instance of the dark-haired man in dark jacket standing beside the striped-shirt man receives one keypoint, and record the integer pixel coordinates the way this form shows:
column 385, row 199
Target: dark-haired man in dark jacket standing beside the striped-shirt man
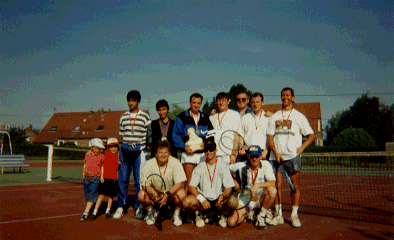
column 162, row 127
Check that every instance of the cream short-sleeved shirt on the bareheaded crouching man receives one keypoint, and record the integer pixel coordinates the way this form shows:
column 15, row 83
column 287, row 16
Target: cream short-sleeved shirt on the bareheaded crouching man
column 172, row 175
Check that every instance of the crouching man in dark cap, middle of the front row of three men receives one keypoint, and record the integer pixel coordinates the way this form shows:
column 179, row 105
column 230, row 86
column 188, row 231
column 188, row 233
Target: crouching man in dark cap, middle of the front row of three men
column 206, row 186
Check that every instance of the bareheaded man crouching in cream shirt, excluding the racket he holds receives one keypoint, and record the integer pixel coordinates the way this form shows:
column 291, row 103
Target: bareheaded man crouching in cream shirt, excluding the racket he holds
column 170, row 169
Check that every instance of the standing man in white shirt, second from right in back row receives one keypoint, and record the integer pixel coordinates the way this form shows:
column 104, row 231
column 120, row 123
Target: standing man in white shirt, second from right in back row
column 254, row 125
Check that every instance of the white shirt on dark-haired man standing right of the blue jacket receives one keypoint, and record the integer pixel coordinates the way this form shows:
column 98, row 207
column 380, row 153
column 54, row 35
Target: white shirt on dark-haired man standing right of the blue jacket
column 229, row 120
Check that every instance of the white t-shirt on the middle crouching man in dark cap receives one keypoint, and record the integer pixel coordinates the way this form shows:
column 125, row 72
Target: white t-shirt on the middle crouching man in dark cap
column 201, row 179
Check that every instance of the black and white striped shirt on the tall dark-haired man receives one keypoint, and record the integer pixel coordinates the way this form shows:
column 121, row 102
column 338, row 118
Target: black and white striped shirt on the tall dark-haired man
column 137, row 134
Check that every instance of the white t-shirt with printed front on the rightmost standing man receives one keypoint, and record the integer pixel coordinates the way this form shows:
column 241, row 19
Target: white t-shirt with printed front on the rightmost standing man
column 287, row 130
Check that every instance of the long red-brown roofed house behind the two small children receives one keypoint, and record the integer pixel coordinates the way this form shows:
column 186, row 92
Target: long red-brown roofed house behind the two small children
column 80, row 127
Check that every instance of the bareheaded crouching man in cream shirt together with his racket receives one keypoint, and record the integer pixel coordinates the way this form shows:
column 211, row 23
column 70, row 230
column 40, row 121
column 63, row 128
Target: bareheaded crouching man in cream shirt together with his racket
column 161, row 180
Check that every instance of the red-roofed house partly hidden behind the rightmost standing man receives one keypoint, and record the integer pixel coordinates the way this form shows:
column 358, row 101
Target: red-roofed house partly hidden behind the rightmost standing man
column 312, row 112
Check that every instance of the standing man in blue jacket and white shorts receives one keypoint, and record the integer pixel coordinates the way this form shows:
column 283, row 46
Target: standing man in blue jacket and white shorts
column 198, row 123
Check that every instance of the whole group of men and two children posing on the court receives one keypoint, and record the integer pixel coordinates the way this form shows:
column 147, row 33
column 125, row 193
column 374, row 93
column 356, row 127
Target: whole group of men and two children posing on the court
column 200, row 183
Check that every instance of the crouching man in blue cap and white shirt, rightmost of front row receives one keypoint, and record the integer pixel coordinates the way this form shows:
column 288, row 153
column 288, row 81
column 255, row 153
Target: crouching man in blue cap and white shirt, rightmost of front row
column 258, row 176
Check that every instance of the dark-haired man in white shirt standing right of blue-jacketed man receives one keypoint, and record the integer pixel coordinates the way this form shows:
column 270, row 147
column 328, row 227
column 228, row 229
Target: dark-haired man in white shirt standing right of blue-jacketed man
column 224, row 119
